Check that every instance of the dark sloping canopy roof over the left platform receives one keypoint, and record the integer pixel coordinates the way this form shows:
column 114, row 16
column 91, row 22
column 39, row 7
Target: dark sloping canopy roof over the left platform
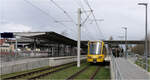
column 48, row 37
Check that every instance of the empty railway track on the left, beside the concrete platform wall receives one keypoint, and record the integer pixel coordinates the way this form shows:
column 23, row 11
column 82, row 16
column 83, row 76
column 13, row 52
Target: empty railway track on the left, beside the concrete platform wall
column 20, row 76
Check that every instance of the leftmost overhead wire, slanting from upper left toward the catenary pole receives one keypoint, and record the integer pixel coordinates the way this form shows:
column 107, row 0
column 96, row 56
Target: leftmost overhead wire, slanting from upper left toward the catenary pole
column 48, row 15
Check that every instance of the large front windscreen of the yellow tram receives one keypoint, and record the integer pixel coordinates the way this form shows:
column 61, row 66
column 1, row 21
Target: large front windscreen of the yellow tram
column 95, row 48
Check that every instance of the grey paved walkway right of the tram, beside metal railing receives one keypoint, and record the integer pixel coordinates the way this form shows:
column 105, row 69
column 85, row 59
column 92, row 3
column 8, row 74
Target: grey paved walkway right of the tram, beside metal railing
column 130, row 71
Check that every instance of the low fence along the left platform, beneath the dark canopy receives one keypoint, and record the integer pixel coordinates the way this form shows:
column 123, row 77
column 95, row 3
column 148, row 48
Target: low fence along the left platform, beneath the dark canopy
column 13, row 56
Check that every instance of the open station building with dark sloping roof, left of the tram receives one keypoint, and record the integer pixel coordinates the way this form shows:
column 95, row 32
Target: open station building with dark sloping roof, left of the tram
column 50, row 43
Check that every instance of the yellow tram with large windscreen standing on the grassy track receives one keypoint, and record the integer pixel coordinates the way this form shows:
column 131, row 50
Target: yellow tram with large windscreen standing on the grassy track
column 96, row 51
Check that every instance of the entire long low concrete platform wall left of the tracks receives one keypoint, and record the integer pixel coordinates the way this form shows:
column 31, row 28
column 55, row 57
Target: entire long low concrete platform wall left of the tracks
column 27, row 65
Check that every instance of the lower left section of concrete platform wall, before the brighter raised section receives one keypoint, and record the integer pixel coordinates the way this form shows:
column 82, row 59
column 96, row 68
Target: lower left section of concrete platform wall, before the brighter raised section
column 16, row 67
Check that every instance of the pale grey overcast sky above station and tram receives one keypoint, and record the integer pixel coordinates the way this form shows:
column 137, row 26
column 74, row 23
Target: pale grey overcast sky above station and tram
column 41, row 15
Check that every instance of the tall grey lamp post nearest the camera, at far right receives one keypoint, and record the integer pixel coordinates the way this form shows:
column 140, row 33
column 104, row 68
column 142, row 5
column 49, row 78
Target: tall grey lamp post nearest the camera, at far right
column 146, row 38
